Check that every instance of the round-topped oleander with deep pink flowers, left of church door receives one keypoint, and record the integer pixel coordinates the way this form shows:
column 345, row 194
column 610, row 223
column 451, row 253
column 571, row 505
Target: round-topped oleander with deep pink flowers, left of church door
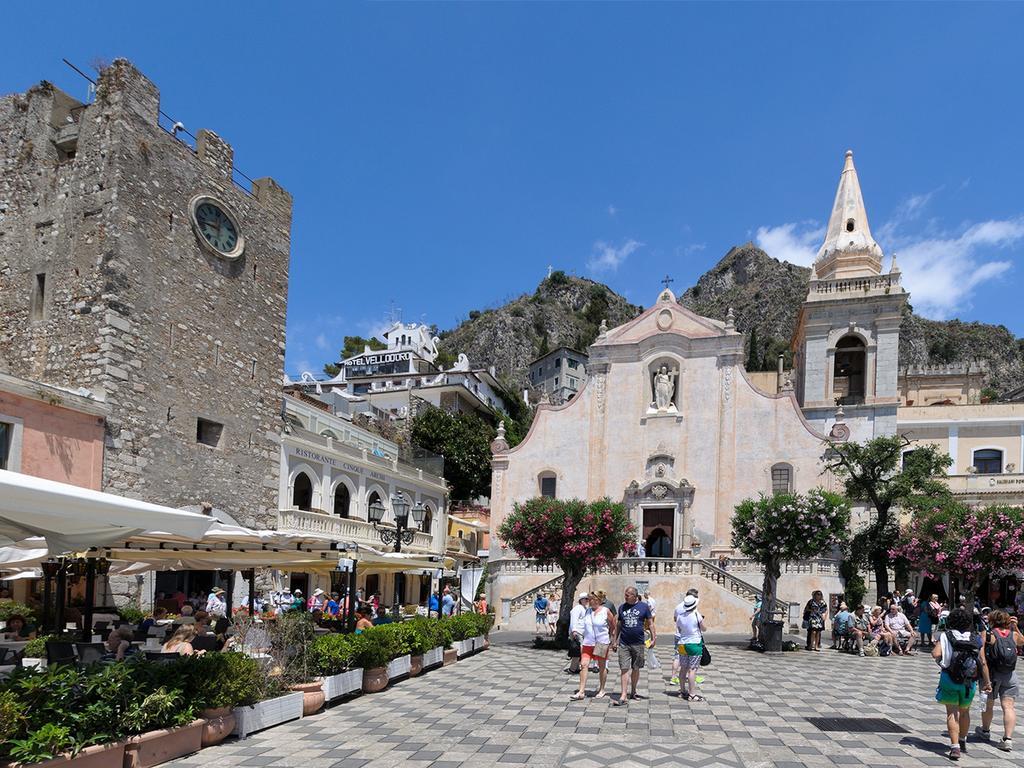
column 572, row 534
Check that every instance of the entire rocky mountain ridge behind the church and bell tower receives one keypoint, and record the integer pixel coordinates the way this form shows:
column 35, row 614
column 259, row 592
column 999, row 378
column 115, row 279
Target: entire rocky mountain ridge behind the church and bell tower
column 765, row 295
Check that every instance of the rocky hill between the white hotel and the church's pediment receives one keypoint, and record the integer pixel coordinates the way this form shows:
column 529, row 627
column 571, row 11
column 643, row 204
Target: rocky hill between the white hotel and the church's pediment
column 563, row 312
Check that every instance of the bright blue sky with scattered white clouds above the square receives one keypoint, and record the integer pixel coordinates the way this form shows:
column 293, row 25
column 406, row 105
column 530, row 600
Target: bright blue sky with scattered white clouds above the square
column 442, row 156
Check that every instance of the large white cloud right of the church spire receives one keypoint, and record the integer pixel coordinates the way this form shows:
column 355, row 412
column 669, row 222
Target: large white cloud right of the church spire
column 943, row 273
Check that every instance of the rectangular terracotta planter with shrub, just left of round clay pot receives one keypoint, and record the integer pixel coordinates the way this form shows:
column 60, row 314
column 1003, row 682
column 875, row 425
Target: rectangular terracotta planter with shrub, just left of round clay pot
column 166, row 727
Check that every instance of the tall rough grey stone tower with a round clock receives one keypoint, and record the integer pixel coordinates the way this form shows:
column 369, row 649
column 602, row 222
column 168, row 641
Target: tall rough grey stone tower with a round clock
column 133, row 266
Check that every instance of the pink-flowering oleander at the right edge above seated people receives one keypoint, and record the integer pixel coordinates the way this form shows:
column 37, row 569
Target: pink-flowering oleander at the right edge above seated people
column 947, row 537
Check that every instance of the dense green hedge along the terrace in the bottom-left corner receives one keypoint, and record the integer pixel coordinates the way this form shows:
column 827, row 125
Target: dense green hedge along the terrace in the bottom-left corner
column 64, row 708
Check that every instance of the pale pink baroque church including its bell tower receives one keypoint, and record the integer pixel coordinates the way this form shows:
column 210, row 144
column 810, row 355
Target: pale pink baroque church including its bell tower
column 671, row 424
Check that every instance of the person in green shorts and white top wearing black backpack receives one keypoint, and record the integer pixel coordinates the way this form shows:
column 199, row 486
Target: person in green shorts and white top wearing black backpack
column 959, row 655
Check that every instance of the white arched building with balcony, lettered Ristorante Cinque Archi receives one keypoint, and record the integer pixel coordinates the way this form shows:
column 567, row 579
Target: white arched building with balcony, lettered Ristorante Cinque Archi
column 333, row 471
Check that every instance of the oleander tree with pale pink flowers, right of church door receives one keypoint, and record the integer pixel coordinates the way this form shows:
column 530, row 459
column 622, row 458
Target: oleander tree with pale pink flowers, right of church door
column 778, row 529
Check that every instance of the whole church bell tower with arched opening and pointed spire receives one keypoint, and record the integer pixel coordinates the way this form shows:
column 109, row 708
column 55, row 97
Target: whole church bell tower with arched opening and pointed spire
column 846, row 347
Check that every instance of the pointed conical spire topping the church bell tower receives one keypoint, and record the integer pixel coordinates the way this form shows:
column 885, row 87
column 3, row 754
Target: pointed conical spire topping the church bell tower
column 849, row 250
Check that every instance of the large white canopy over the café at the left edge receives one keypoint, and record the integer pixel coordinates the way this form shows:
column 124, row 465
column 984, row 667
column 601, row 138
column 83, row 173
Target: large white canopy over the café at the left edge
column 72, row 519
